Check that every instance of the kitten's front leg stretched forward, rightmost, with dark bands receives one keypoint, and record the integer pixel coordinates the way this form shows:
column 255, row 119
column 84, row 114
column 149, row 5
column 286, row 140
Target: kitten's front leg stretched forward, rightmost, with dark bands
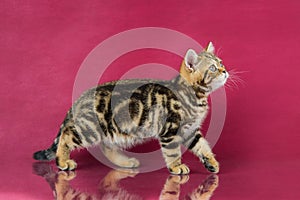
column 200, row 147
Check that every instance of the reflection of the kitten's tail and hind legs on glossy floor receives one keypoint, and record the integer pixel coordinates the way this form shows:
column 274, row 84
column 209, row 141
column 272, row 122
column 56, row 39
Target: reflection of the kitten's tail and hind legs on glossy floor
column 108, row 187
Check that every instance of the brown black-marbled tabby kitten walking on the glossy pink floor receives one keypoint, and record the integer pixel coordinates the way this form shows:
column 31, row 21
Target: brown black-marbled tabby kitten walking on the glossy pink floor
column 120, row 114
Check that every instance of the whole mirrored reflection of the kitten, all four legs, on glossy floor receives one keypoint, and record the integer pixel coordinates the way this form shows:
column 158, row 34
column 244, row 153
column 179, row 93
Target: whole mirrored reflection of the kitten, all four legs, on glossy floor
column 109, row 186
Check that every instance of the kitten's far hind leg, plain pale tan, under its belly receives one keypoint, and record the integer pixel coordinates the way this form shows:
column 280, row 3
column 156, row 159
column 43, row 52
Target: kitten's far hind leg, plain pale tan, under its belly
column 114, row 155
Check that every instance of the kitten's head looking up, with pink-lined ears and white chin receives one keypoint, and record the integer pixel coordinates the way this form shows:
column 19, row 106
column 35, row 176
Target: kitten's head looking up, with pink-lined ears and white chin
column 204, row 71
